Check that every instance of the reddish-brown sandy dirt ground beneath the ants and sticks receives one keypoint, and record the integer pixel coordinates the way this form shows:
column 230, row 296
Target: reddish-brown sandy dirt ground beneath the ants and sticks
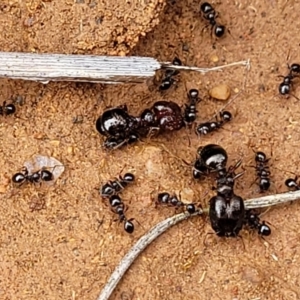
column 62, row 242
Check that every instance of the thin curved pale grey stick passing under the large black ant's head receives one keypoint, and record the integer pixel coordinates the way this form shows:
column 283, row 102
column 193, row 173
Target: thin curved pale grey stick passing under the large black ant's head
column 161, row 227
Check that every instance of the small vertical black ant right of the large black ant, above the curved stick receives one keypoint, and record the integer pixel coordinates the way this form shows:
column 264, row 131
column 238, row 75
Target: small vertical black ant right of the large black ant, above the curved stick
column 262, row 171
